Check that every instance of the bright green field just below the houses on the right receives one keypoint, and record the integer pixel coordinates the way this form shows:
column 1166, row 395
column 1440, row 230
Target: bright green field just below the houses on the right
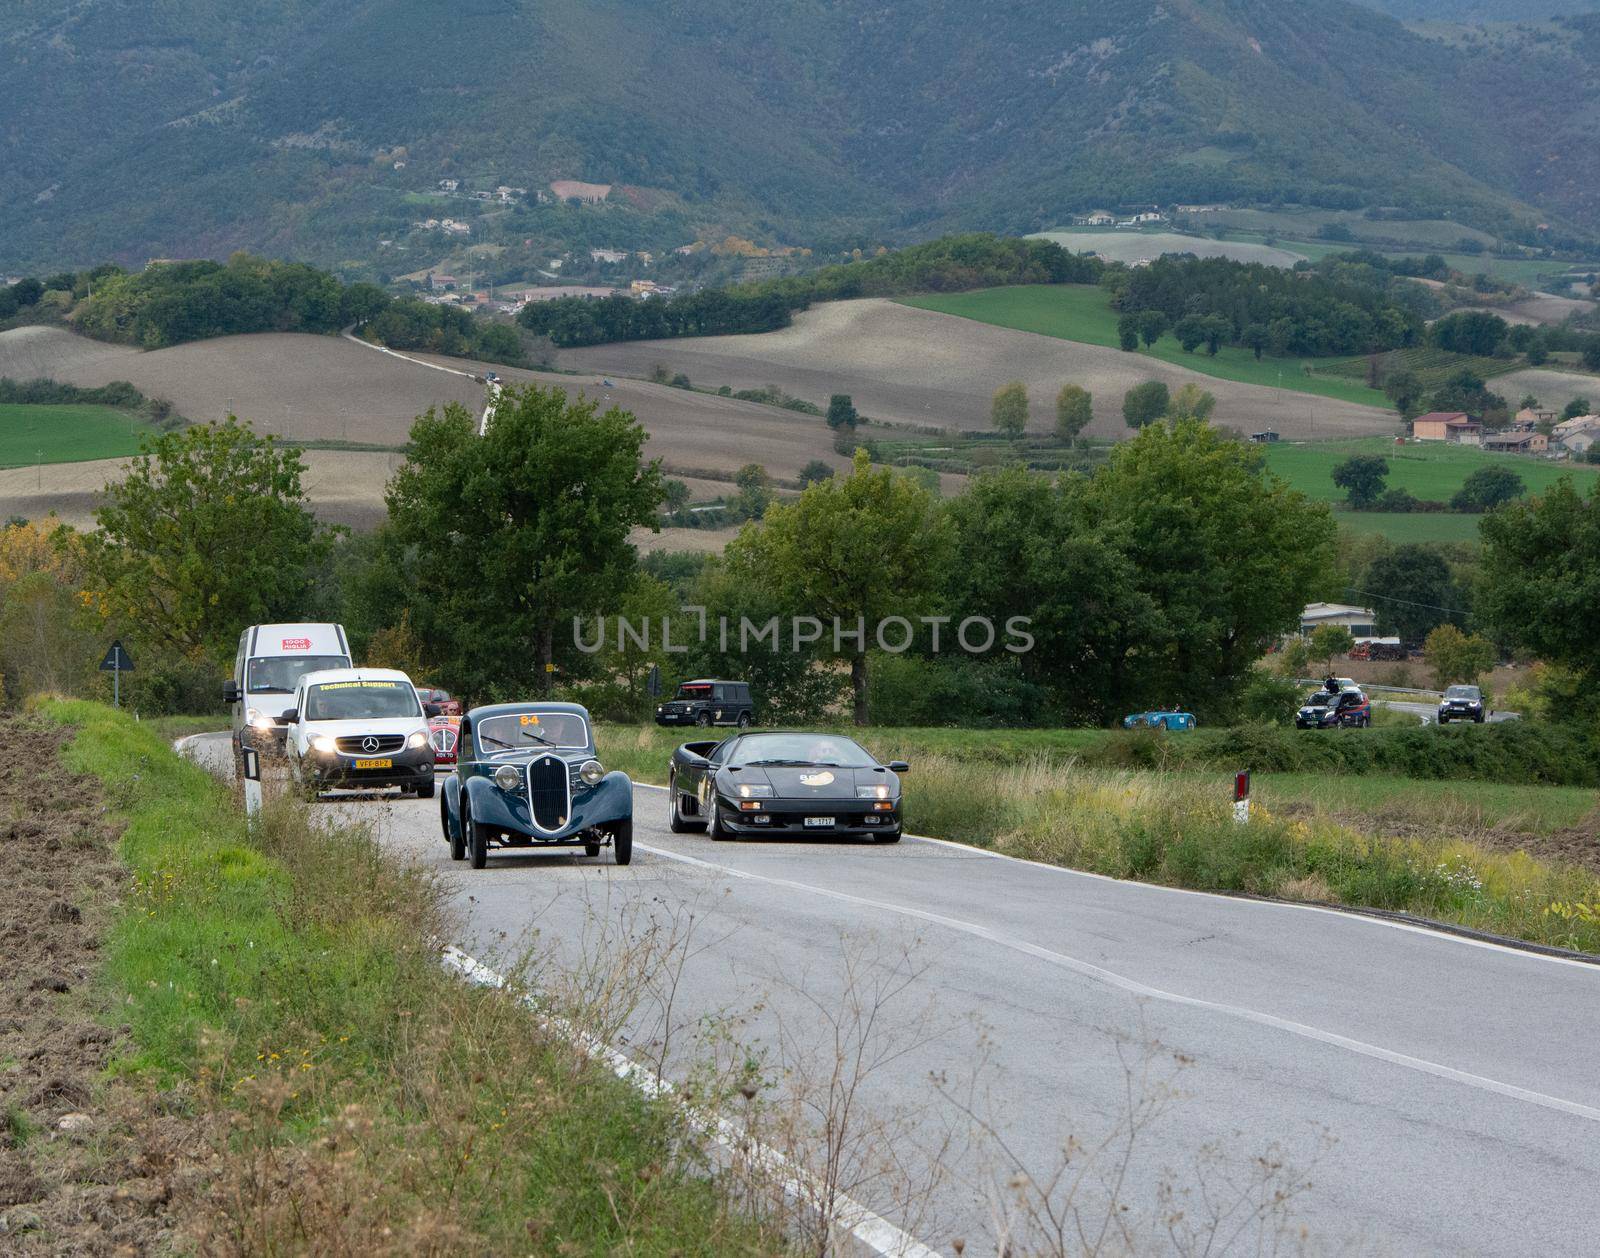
column 1433, row 471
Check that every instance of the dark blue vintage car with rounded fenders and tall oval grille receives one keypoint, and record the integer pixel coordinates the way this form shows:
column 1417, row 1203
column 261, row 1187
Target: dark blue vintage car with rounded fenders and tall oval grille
column 527, row 777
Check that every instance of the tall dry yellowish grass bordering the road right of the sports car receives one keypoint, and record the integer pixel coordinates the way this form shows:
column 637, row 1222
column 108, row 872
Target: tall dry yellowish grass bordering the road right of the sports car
column 1177, row 831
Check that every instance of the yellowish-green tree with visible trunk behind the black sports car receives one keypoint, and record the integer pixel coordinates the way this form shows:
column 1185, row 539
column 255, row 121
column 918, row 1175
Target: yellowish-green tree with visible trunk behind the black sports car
column 884, row 539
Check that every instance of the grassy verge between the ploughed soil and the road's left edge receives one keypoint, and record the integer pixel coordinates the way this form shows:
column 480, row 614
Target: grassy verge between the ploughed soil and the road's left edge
column 284, row 979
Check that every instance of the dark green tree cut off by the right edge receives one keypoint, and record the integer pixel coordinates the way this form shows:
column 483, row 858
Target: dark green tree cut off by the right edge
column 1540, row 588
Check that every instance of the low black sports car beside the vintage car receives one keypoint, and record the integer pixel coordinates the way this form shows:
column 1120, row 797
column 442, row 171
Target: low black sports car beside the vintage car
column 785, row 783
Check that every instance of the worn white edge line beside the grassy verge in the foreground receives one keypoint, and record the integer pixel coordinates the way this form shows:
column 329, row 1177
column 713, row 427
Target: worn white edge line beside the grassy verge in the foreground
column 874, row 1232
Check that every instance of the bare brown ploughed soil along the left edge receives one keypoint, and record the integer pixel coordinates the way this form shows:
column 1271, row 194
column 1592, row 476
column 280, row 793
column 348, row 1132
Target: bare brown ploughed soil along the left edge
column 86, row 1168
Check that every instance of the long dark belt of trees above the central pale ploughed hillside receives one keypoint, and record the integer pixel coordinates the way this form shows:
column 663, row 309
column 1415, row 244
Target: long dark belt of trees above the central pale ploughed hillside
column 940, row 266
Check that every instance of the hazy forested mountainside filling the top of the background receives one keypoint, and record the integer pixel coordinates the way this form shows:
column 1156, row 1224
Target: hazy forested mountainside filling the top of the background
column 324, row 130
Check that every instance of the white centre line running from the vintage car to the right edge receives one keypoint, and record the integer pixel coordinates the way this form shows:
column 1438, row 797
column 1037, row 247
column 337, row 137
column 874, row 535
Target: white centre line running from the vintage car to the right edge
column 1135, row 988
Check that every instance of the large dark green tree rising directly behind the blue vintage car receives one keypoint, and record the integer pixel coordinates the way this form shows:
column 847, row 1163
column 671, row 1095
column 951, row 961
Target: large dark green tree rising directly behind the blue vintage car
column 511, row 535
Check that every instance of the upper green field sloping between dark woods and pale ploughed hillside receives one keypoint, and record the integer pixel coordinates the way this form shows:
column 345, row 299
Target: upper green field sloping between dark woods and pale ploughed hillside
column 1081, row 313
